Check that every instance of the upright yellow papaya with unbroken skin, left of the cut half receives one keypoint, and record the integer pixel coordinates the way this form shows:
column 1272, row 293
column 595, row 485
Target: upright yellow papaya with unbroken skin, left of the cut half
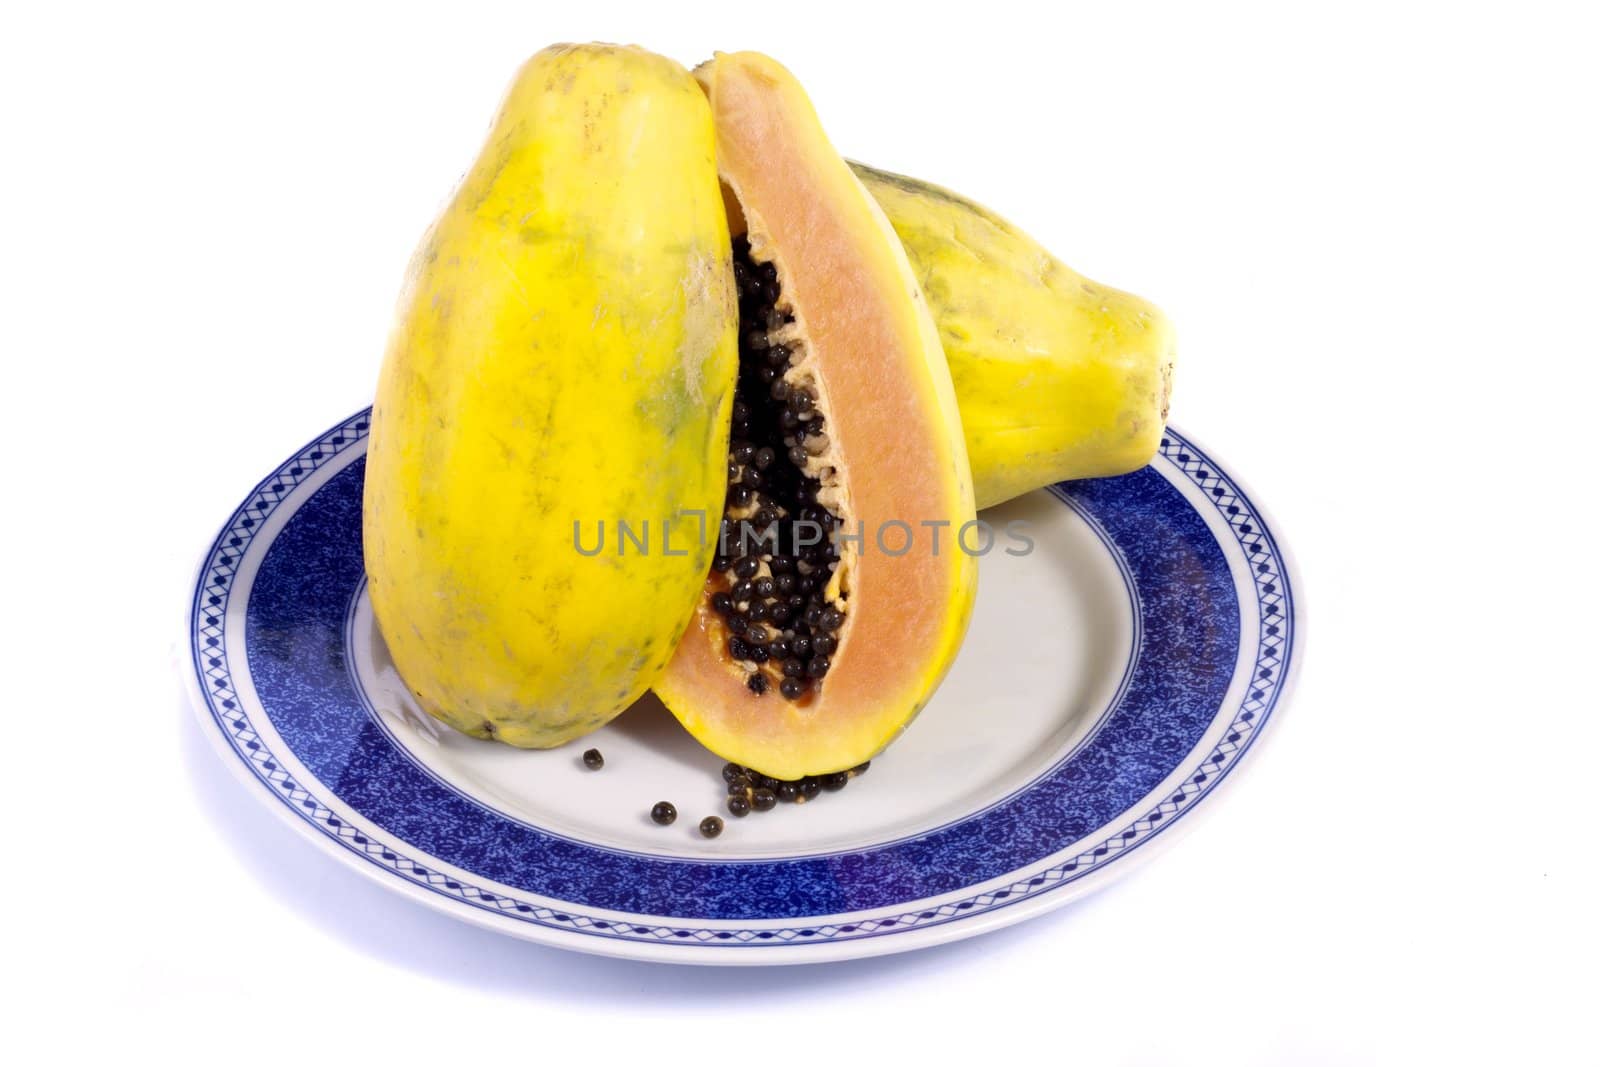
column 564, row 356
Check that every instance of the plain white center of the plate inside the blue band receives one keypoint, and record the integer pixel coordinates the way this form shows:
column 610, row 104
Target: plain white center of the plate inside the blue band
column 1060, row 620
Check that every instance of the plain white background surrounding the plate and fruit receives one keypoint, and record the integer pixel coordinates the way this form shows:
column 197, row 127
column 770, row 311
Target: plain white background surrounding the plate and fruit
column 1377, row 231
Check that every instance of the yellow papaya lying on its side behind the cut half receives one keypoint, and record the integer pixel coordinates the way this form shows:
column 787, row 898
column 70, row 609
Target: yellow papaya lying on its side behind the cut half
column 1057, row 377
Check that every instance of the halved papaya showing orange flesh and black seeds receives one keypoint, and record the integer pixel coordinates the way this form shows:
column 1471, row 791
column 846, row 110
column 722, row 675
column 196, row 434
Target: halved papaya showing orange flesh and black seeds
column 839, row 596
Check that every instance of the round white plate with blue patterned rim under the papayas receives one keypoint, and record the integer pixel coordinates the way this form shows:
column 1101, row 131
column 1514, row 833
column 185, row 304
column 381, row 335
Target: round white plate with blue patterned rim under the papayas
column 1111, row 682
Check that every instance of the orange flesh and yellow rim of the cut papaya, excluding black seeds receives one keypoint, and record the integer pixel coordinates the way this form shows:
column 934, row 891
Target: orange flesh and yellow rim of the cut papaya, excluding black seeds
column 873, row 353
